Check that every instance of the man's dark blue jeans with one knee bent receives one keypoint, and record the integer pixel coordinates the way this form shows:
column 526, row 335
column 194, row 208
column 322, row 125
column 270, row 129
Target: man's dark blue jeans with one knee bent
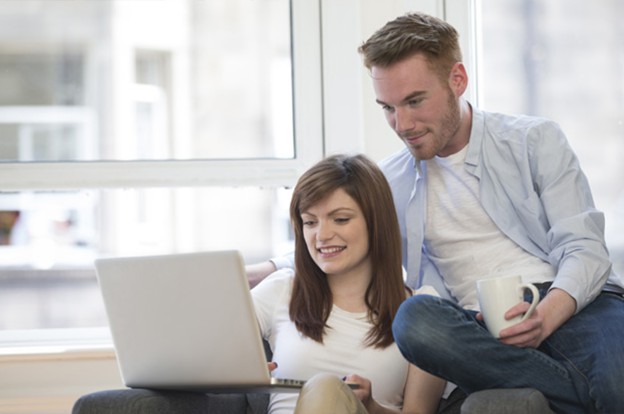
column 579, row 368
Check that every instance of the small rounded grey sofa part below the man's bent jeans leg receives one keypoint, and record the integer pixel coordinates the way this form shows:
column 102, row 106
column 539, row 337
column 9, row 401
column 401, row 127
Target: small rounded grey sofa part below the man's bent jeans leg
column 506, row 401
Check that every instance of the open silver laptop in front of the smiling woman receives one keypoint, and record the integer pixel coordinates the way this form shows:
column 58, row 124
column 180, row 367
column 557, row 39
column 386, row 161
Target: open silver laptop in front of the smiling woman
column 186, row 322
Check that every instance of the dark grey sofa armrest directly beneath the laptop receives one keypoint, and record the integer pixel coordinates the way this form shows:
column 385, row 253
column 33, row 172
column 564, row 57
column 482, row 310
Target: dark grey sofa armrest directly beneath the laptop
column 139, row 401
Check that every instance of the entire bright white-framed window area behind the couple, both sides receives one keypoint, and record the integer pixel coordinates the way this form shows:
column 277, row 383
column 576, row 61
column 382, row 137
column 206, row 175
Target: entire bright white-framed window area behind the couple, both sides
column 120, row 134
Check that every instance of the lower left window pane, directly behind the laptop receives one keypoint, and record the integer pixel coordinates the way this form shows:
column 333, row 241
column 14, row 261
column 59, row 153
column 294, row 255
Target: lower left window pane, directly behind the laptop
column 48, row 241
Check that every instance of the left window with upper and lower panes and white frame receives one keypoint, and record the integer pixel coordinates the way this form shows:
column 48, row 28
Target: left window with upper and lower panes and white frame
column 146, row 127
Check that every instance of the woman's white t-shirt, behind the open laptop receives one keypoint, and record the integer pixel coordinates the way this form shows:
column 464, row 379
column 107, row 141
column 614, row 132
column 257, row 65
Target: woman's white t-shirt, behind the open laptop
column 342, row 353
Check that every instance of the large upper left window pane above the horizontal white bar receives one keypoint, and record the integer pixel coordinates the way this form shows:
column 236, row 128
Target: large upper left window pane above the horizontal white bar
column 146, row 80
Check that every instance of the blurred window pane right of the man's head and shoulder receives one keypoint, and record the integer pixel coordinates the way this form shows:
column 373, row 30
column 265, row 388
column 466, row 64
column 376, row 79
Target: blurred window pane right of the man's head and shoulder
column 562, row 59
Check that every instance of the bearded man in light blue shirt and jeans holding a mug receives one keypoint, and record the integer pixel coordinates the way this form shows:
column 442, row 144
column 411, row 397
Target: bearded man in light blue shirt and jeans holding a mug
column 481, row 195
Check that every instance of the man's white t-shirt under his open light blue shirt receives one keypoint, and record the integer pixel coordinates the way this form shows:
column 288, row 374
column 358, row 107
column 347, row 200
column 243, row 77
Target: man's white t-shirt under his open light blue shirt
column 463, row 241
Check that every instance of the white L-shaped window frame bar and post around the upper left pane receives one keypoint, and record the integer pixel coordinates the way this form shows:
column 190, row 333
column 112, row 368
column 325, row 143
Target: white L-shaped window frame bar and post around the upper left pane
column 308, row 137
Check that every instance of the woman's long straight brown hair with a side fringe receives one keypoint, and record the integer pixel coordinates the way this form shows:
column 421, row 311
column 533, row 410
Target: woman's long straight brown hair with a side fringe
column 311, row 301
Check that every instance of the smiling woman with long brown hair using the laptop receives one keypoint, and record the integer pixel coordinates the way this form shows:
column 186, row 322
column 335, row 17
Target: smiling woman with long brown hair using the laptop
column 329, row 321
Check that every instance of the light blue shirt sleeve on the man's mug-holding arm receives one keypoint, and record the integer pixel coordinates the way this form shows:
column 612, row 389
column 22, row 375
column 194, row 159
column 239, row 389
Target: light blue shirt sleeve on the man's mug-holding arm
column 576, row 233
